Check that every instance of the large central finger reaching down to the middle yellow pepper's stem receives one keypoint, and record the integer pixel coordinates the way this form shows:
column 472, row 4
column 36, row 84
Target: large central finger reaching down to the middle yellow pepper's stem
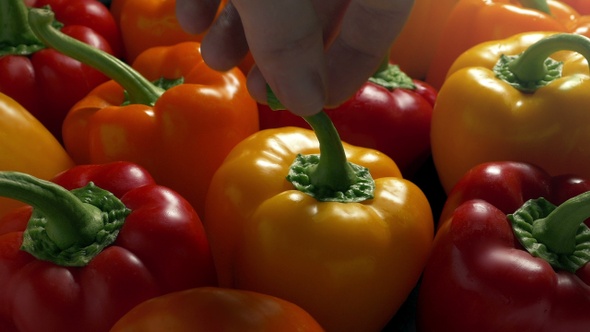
column 286, row 42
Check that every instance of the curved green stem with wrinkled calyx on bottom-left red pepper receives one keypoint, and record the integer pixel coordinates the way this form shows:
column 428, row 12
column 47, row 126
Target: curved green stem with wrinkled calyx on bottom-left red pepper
column 67, row 227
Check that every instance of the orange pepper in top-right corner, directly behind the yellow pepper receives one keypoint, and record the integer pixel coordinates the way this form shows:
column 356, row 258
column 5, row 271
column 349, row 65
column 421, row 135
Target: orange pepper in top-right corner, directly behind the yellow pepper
column 475, row 21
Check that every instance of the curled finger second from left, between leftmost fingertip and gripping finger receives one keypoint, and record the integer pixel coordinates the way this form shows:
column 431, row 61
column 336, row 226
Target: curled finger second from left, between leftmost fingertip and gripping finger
column 224, row 45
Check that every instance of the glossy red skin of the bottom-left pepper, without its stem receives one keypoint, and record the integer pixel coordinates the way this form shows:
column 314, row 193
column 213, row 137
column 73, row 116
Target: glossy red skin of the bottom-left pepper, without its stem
column 161, row 248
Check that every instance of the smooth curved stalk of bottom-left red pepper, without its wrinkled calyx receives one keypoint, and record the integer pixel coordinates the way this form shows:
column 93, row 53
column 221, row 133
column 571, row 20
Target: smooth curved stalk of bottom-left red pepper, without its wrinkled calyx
column 69, row 221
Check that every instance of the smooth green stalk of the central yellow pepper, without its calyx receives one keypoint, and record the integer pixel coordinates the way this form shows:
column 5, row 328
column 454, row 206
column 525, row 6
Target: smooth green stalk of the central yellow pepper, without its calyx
column 333, row 170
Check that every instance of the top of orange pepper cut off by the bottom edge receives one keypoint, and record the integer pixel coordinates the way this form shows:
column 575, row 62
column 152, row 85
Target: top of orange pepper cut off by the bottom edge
column 217, row 309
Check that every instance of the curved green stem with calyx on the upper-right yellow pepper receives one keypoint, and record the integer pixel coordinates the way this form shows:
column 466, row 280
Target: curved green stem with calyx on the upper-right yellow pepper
column 533, row 68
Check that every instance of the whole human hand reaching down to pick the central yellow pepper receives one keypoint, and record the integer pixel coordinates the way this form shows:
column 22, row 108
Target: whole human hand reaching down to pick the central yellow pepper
column 312, row 53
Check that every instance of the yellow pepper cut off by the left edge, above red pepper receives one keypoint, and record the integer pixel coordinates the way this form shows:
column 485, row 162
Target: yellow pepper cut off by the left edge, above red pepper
column 27, row 146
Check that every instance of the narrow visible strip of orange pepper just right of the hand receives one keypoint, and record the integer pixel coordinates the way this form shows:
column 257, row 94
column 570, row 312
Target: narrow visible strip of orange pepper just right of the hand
column 414, row 46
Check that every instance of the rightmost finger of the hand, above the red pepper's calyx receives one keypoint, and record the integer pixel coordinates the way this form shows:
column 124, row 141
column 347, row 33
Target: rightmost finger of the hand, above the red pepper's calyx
column 368, row 29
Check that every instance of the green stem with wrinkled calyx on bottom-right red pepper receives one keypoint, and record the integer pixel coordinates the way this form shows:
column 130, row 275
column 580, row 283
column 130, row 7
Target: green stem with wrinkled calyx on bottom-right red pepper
column 556, row 234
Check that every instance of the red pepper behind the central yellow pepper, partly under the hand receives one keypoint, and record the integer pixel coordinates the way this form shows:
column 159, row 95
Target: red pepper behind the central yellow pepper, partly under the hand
column 390, row 113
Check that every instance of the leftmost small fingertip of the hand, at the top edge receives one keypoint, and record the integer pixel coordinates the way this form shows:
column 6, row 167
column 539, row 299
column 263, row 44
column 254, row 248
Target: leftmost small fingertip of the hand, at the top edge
column 195, row 16
